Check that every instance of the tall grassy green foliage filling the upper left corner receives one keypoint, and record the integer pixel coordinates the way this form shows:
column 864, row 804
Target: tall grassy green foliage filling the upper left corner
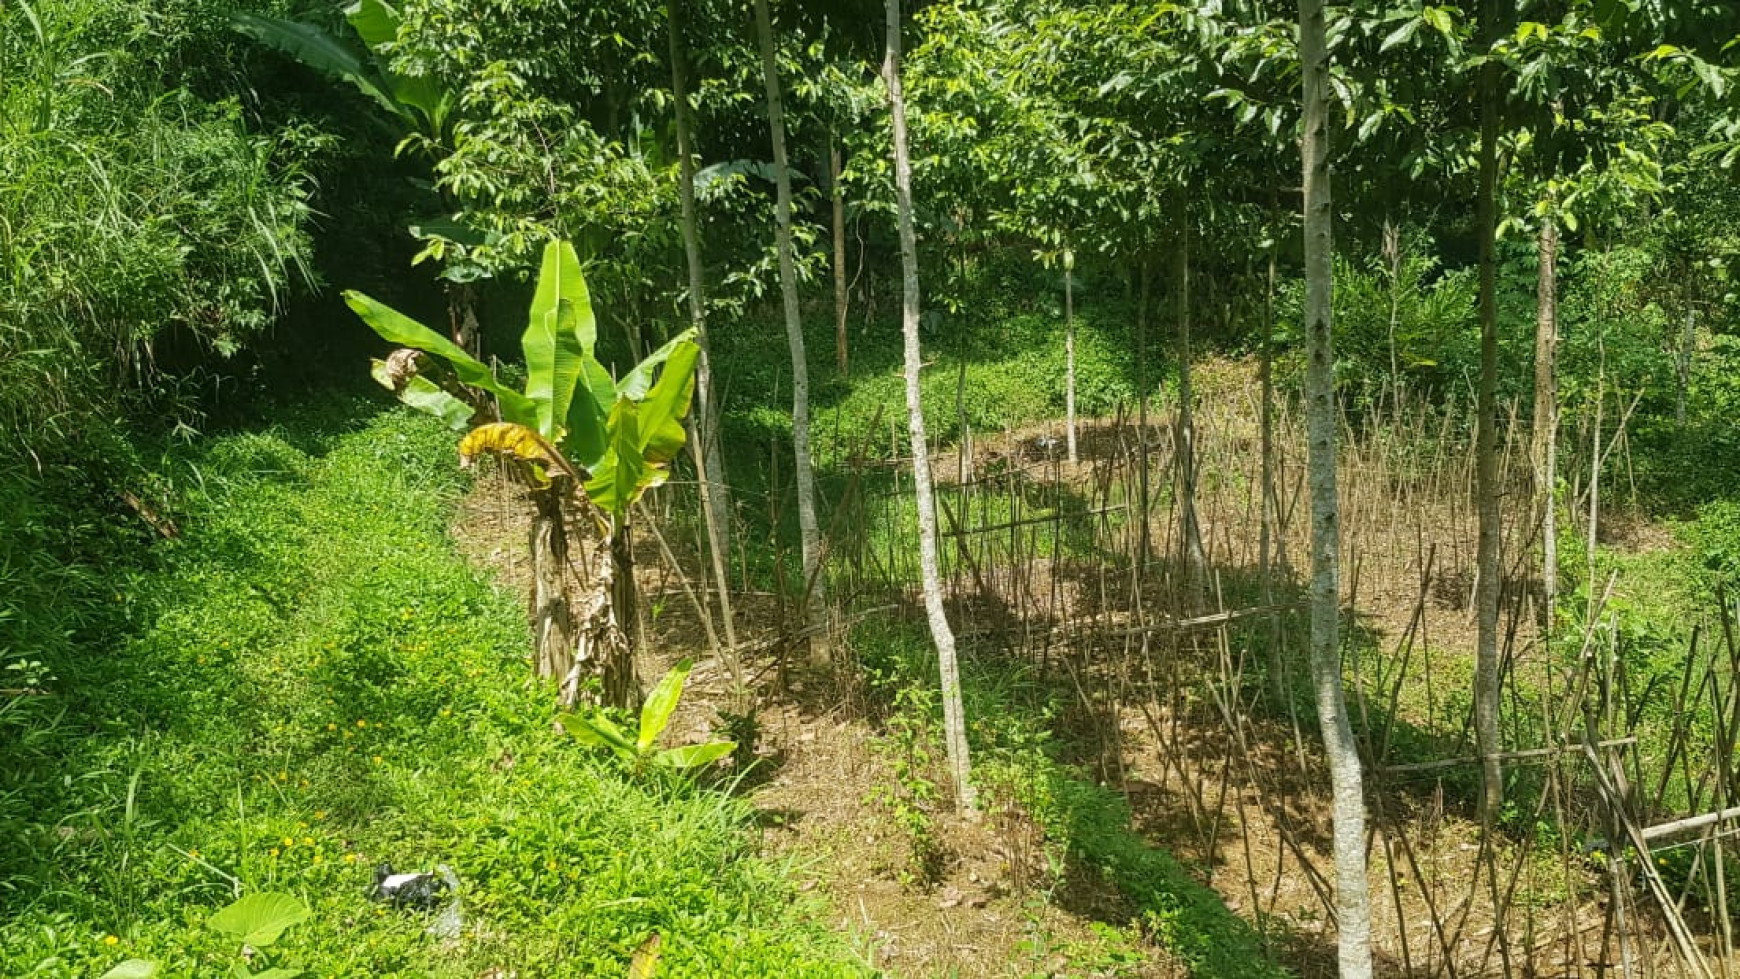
column 140, row 215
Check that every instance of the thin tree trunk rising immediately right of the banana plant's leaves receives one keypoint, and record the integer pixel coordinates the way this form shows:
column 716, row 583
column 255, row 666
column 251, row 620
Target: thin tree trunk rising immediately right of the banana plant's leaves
column 706, row 444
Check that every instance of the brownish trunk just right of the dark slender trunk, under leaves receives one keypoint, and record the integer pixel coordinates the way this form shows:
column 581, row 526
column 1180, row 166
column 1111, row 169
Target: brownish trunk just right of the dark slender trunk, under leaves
column 1548, row 415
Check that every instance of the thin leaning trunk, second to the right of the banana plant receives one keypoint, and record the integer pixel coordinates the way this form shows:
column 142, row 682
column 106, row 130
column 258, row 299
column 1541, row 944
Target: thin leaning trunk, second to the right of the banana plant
column 808, row 529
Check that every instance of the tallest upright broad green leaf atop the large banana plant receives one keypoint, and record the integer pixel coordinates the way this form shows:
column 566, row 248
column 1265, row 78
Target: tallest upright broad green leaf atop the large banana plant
column 559, row 335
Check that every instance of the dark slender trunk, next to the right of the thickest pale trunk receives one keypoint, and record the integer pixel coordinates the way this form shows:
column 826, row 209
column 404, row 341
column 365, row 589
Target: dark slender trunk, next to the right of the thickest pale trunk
column 1487, row 681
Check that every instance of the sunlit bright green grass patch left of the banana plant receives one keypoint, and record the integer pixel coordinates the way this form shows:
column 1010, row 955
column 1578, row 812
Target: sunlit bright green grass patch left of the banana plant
column 312, row 683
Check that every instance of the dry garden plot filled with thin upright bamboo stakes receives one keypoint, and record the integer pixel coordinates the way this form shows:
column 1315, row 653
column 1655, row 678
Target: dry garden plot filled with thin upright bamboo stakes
column 1184, row 674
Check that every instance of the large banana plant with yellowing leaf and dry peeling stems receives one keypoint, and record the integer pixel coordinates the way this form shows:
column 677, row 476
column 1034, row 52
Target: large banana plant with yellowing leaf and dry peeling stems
column 582, row 441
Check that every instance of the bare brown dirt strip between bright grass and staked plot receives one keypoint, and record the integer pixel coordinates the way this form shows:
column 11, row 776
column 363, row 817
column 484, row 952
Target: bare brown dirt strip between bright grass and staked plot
column 977, row 919
